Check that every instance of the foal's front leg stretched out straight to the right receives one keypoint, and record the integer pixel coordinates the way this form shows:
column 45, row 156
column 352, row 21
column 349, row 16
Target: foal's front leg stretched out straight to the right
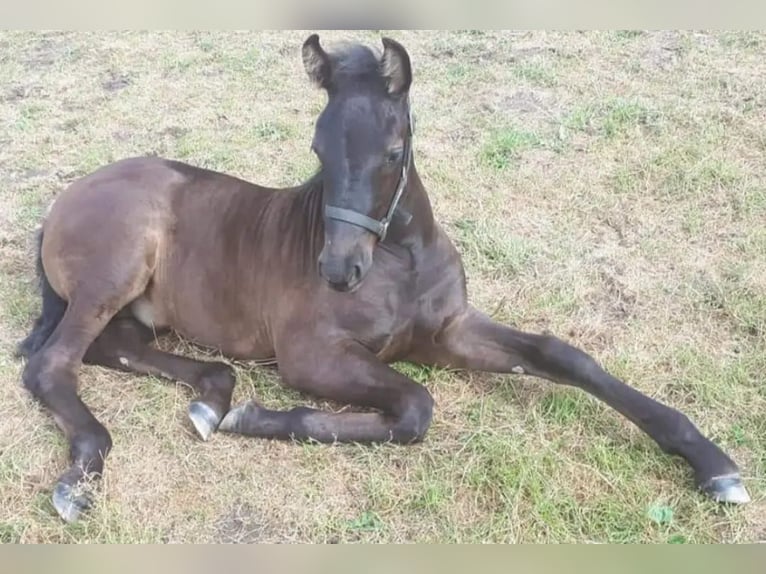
column 473, row 341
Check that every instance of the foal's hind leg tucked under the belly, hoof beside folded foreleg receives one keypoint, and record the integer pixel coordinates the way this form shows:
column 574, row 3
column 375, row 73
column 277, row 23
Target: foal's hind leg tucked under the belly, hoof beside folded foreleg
column 124, row 345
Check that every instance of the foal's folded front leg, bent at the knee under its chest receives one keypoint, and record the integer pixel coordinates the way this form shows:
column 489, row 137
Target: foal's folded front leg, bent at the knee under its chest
column 349, row 374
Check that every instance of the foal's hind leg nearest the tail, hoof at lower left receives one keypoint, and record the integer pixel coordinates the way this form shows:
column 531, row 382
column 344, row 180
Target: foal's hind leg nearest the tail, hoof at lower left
column 51, row 377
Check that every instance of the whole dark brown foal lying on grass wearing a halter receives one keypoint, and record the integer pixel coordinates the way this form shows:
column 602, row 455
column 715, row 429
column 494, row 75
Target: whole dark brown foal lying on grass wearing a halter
column 332, row 279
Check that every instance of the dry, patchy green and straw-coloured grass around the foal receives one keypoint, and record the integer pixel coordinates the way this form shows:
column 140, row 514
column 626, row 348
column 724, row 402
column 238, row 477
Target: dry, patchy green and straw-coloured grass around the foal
column 607, row 187
